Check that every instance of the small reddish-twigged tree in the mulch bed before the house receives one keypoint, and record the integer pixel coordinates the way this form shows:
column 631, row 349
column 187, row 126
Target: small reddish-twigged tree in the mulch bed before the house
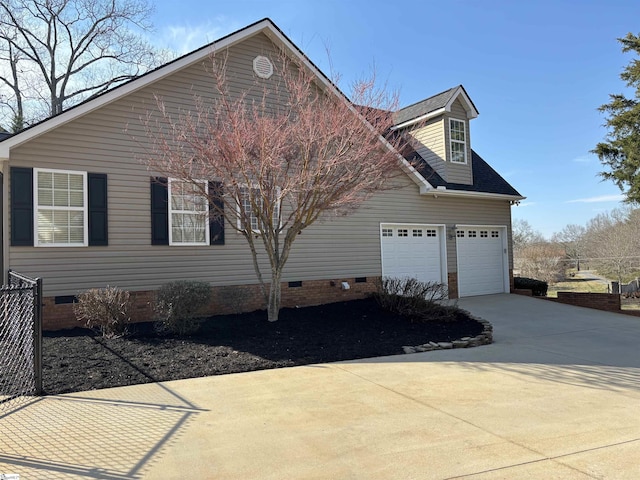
column 286, row 152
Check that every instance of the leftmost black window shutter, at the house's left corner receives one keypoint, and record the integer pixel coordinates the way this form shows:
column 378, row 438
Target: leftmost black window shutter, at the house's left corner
column 21, row 206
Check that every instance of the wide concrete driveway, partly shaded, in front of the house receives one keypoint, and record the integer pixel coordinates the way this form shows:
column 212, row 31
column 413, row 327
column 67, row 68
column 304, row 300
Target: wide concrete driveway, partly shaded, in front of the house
column 557, row 396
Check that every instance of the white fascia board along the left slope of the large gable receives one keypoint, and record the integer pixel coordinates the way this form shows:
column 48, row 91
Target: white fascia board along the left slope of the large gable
column 132, row 86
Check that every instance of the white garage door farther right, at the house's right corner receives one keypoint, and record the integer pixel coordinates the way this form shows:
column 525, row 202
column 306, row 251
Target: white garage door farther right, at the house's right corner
column 481, row 260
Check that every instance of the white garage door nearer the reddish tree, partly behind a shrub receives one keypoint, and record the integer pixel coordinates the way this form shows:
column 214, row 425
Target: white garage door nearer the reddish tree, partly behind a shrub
column 412, row 251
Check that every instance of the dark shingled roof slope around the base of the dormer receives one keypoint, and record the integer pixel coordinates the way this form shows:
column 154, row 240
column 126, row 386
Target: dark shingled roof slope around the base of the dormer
column 485, row 178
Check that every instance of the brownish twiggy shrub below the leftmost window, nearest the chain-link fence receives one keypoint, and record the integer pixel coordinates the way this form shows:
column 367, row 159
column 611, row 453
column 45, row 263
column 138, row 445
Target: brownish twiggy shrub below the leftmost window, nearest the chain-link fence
column 105, row 309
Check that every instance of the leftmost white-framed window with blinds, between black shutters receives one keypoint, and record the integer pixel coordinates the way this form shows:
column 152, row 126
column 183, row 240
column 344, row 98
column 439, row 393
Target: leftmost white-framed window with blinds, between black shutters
column 61, row 208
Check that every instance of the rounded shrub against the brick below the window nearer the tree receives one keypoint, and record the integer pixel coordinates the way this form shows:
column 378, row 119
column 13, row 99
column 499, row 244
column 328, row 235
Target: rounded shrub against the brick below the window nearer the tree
column 179, row 306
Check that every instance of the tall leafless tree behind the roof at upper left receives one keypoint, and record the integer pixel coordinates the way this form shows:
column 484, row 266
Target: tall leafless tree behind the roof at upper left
column 55, row 53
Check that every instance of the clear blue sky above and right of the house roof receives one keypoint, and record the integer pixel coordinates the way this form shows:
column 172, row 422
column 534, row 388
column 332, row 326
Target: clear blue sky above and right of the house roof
column 537, row 72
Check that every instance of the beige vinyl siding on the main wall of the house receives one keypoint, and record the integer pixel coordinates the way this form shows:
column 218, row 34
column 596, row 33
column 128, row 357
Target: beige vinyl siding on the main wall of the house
column 108, row 141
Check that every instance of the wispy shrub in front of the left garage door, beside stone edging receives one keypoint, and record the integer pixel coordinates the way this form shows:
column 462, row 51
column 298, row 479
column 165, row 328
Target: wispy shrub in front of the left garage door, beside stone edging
column 414, row 299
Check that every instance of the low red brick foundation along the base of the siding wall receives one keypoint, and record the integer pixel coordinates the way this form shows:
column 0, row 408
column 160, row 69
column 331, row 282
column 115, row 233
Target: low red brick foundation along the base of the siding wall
column 227, row 299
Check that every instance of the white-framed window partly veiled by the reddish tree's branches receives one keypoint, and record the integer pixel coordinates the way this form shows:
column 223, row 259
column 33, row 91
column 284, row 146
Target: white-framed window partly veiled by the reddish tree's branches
column 188, row 213
